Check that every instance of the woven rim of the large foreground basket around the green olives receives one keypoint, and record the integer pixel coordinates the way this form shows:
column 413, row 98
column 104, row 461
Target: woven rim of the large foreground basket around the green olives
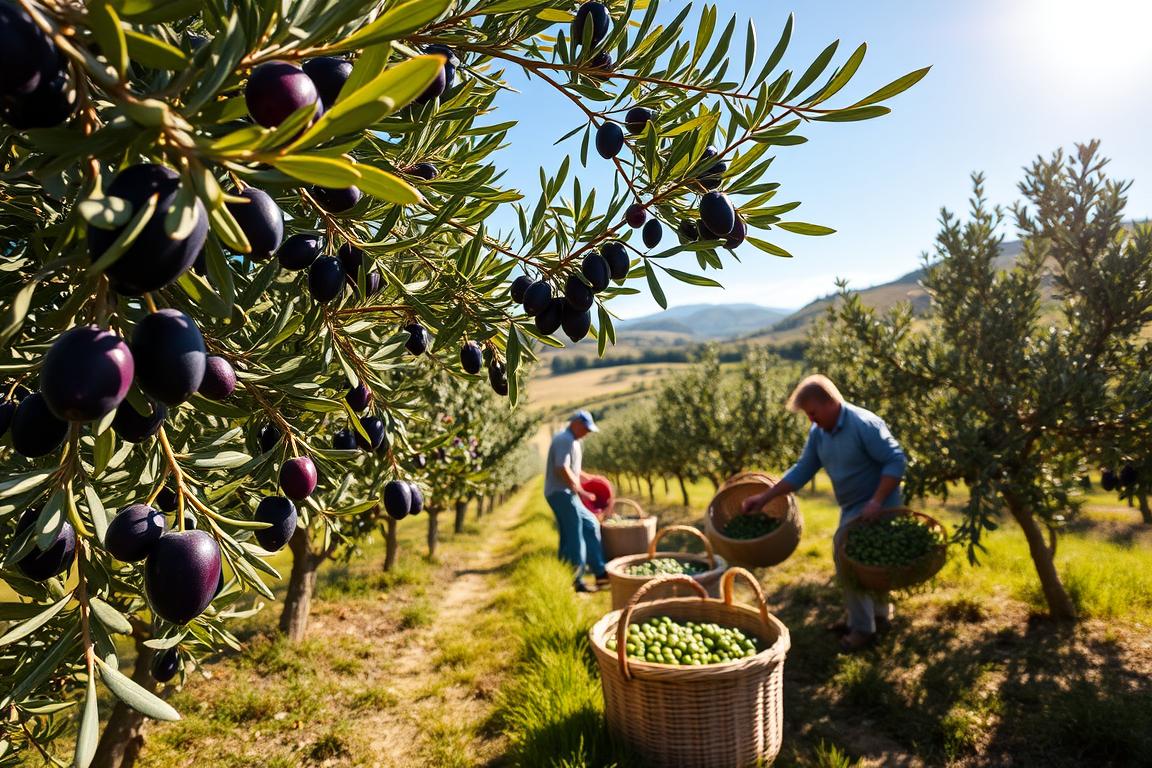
column 772, row 655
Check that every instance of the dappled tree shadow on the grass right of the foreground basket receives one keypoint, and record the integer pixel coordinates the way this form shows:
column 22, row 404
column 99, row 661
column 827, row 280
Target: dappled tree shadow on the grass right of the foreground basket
column 951, row 685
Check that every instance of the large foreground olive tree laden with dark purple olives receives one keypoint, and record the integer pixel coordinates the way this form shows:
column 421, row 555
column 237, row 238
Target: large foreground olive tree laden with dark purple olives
column 218, row 217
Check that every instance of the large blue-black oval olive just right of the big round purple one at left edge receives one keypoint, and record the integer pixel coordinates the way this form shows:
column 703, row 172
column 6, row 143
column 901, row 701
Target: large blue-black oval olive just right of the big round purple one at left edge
column 170, row 356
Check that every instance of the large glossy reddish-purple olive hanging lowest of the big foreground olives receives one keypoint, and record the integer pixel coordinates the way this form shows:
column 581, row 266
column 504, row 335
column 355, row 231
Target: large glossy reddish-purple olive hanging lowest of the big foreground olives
column 181, row 575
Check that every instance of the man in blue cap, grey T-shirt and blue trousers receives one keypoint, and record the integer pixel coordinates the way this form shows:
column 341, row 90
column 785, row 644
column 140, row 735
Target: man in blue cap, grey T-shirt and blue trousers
column 580, row 531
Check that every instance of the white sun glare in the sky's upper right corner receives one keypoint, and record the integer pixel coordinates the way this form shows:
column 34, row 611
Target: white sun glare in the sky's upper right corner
column 1071, row 43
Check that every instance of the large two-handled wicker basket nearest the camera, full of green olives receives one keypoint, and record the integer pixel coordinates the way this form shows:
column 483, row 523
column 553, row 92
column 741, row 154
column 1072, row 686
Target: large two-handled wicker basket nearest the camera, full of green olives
column 724, row 716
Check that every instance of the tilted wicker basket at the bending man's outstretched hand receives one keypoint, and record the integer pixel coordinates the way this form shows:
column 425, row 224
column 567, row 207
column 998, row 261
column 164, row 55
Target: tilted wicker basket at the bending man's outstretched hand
column 770, row 550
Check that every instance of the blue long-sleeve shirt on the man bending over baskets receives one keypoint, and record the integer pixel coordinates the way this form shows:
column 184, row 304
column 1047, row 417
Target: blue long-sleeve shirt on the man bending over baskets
column 855, row 454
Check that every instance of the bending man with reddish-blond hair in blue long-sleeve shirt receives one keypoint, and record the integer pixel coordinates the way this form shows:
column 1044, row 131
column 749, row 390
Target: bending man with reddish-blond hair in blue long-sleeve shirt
column 866, row 465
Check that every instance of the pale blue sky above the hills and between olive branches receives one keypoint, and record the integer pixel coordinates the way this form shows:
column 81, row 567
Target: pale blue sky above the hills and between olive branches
column 1010, row 81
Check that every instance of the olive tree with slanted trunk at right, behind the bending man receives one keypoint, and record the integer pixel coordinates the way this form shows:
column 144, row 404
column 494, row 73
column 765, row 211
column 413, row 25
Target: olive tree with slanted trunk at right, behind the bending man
column 1005, row 386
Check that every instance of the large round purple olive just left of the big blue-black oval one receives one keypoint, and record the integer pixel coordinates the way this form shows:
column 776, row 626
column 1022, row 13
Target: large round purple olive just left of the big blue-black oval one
column 86, row 374
